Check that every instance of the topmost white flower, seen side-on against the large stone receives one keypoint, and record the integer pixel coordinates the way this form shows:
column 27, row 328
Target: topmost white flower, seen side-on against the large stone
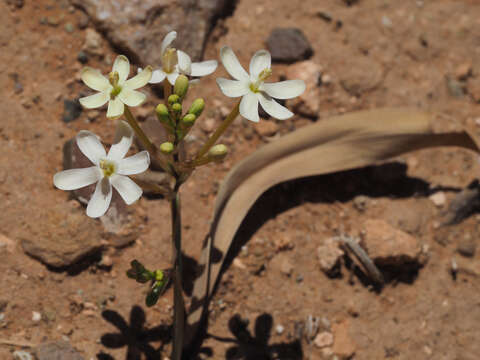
column 176, row 62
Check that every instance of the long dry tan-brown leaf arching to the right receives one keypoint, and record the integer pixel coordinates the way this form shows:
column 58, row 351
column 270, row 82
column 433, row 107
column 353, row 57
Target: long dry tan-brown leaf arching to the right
column 340, row 143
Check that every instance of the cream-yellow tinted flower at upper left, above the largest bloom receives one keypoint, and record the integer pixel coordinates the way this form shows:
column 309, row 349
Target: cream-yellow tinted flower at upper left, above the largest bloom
column 115, row 89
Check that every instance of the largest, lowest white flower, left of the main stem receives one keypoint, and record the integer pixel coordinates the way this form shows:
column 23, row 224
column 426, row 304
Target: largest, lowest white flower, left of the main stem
column 108, row 170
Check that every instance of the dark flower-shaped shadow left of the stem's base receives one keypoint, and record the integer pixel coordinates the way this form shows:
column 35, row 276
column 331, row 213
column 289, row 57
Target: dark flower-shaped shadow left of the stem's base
column 134, row 336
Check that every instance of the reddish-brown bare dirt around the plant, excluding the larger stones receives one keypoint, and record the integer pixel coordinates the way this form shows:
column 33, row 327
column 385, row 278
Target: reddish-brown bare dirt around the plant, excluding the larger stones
column 413, row 45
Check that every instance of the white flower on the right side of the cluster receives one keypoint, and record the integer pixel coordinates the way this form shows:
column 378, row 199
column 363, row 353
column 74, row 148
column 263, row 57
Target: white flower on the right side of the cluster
column 252, row 87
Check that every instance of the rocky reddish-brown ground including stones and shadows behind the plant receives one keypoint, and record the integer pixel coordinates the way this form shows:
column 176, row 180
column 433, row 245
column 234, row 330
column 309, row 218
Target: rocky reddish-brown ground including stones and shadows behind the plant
column 291, row 291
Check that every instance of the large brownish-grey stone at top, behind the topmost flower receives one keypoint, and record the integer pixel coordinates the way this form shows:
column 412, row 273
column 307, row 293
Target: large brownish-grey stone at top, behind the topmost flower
column 137, row 27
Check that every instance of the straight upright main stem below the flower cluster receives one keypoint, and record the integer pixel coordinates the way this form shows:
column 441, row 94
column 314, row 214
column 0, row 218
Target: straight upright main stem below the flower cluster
column 179, row 307
